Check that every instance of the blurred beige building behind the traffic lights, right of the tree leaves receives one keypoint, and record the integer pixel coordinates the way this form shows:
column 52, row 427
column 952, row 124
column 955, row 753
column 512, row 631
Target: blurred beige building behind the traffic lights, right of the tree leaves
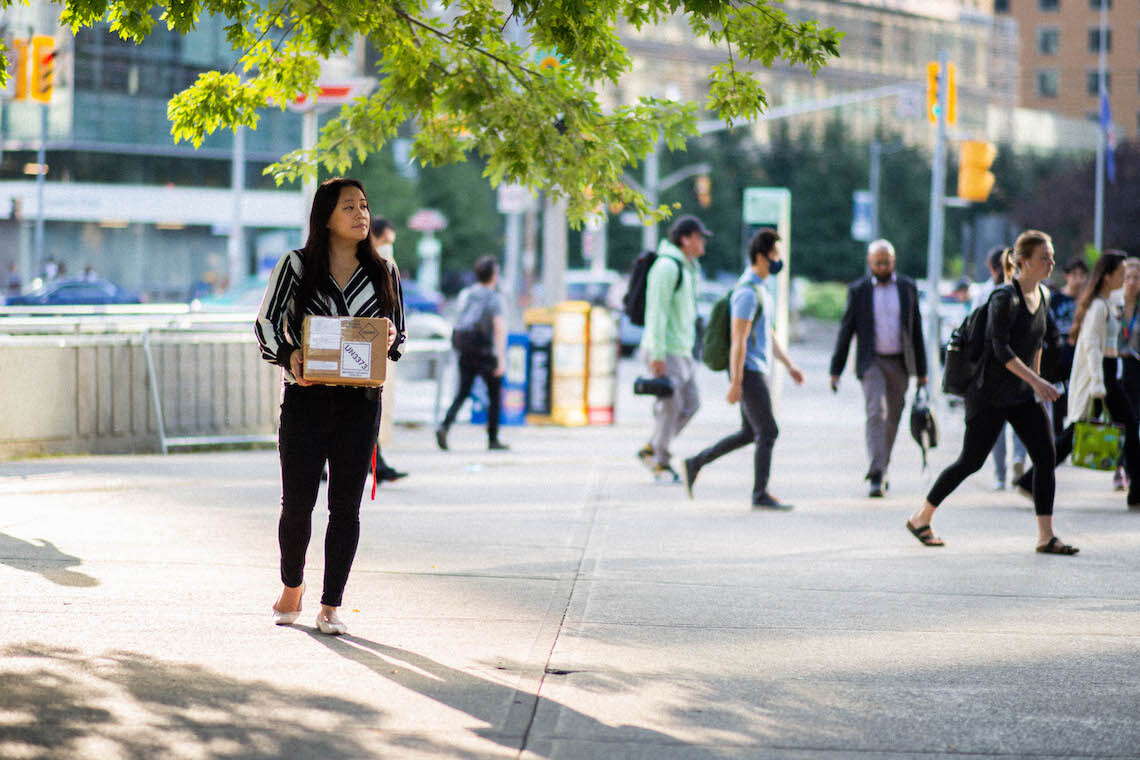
column 887, row 43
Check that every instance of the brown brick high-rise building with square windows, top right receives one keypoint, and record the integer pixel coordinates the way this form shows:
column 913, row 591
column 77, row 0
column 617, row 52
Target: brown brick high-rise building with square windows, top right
column 1061, row 52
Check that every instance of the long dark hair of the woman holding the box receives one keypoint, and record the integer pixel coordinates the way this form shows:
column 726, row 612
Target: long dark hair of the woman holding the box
column 315, row 254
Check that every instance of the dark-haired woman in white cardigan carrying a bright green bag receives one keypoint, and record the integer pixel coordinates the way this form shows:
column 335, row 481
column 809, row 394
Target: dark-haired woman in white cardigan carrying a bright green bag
column 1093, row 385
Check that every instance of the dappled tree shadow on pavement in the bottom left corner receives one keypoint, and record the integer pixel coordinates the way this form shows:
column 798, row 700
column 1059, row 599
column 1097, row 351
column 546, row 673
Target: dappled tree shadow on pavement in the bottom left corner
column 62, row 705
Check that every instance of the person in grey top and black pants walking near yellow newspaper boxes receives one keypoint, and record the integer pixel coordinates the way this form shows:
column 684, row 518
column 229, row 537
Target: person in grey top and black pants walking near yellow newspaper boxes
column 481, row 340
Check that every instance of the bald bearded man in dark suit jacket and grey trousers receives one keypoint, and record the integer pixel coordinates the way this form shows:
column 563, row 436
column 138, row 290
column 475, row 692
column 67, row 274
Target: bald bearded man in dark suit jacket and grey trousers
column 883, row 314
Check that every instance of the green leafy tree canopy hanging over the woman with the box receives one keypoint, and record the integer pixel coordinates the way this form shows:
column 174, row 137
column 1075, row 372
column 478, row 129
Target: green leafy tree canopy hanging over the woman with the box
column 532, row 112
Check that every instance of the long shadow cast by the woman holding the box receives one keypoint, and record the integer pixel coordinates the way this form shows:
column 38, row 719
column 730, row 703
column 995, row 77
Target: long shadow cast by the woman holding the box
column 485, row 700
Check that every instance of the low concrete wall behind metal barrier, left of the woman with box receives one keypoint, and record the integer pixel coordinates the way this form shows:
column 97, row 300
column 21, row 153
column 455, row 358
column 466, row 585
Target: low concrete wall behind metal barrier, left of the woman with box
column 72, row 395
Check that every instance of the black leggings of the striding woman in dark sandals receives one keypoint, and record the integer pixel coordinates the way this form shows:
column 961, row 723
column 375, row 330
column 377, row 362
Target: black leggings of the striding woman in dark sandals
column 1031, row 423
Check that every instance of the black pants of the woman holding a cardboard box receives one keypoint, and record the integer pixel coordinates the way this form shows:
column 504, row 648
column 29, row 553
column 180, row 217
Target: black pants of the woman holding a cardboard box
column 324, row 423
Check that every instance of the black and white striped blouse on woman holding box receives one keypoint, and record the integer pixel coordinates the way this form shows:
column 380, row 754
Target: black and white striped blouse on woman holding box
column 279, row 331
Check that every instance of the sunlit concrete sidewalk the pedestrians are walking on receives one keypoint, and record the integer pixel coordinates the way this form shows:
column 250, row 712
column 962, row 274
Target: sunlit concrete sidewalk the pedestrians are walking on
column 550, row 602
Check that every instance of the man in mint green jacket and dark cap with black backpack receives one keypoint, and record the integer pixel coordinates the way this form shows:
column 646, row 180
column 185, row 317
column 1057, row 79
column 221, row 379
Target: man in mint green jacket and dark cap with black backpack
column 670, row 338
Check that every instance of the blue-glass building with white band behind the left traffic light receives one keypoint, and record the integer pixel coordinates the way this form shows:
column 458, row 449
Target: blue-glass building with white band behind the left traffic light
column 120, row 197
